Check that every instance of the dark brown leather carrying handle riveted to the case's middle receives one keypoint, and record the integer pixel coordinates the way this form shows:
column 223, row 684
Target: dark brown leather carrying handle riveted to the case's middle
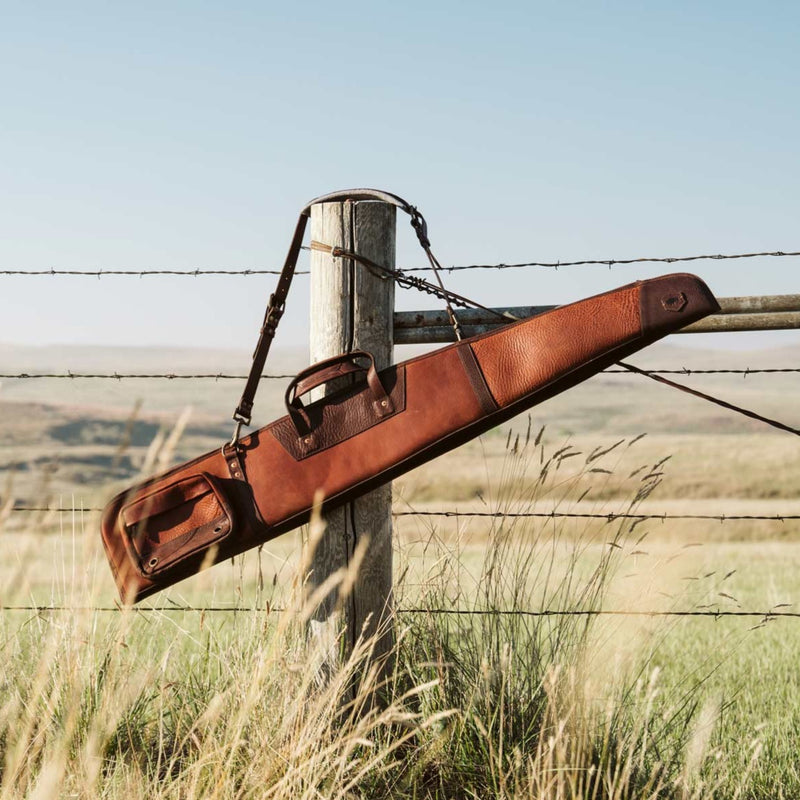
column 325, row 371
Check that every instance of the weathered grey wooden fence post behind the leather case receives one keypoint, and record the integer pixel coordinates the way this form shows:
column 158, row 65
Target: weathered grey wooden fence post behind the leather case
column 353, row 309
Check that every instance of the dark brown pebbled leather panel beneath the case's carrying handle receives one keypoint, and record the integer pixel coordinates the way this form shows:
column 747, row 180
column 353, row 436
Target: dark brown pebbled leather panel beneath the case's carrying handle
column 339, row 416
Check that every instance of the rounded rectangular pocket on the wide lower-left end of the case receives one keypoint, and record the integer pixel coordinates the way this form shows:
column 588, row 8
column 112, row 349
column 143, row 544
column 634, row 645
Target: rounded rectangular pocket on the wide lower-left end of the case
column 167, row 525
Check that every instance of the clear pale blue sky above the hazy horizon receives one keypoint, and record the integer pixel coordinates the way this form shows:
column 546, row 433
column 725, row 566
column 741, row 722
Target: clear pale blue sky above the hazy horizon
column 189, row 134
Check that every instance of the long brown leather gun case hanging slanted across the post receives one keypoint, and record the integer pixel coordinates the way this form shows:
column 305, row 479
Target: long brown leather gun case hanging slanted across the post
column 443, row 398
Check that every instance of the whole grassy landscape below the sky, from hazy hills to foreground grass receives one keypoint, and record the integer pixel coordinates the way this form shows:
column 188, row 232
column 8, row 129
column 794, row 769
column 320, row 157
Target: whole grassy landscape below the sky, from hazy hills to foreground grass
column 719, row 695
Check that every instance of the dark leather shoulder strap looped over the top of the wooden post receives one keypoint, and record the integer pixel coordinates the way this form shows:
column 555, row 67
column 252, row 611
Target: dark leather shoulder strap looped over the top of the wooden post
column 277, row 300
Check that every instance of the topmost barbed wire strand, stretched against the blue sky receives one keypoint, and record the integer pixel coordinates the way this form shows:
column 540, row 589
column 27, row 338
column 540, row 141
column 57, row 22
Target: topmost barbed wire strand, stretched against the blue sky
column 197, row 272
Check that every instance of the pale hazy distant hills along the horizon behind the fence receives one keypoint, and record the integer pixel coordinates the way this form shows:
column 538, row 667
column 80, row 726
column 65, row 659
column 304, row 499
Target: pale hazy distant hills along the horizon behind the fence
column 607, row 402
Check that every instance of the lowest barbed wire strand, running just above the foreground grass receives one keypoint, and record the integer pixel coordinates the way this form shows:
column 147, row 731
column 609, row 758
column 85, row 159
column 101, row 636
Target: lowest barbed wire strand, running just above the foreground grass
column 716, row 614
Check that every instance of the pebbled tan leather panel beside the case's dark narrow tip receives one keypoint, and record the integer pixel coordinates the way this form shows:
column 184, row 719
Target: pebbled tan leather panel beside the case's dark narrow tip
column 520, row 358
